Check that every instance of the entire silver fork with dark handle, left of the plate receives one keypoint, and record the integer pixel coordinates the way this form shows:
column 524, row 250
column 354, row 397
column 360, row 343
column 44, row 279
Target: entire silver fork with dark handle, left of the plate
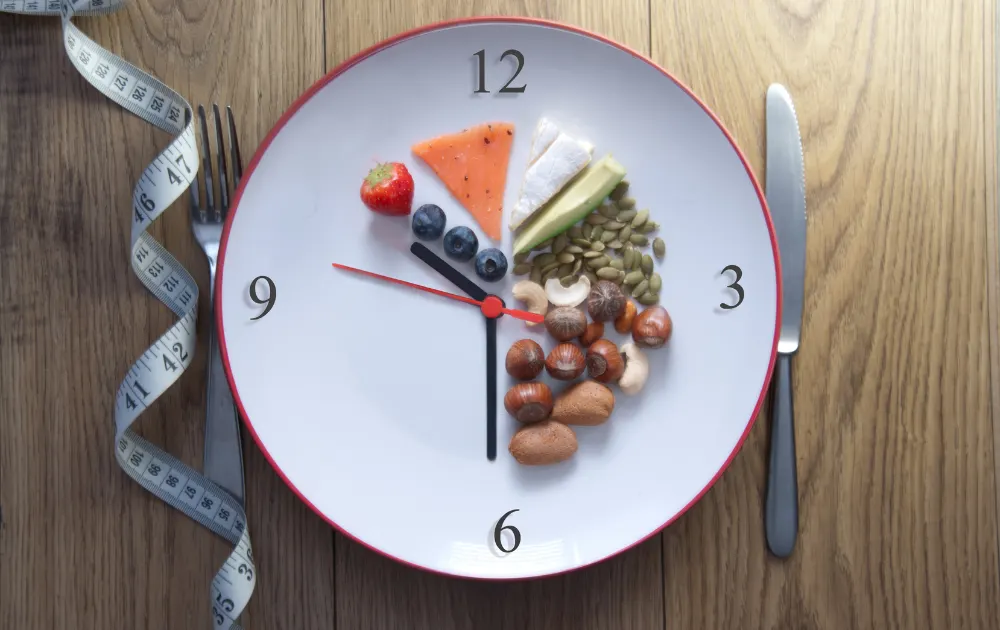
column 223, row 458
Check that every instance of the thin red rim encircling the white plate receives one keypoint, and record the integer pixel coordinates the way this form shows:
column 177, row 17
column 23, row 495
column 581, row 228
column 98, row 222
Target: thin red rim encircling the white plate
column 364, row 54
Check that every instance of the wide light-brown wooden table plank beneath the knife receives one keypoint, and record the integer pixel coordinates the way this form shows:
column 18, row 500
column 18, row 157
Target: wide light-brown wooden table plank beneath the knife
column 898, row 506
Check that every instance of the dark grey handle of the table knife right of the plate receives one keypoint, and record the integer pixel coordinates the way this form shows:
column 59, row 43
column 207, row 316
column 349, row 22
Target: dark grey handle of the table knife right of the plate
column 781, row 508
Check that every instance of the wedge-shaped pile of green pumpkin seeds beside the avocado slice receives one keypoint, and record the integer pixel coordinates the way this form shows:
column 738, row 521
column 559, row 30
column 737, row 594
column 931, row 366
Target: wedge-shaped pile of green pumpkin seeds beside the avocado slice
column 606, row 245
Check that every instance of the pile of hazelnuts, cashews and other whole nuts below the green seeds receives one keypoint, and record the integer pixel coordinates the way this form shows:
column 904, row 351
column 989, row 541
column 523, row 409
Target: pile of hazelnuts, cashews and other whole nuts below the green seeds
column 545, row 436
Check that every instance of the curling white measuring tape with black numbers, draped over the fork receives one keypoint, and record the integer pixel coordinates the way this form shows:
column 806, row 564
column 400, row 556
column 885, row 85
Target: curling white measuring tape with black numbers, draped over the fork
column 163, row 181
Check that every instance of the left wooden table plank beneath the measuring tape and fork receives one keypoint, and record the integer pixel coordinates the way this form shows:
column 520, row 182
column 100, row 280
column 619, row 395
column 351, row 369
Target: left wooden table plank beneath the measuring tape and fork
column 81, row 544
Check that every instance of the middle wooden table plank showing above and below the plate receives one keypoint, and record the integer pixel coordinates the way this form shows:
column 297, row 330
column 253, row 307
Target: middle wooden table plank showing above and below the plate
column 373, row 592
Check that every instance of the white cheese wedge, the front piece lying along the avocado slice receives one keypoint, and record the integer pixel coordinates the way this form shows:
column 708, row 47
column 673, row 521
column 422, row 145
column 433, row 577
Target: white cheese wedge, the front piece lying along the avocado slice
column 560, row 162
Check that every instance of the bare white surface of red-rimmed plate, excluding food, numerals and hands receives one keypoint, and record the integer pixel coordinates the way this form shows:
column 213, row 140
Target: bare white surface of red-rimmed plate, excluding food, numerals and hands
column 368, row 398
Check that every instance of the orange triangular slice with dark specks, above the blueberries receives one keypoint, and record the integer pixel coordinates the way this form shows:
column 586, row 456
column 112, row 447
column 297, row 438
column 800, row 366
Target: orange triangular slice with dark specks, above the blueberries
column 472, row 164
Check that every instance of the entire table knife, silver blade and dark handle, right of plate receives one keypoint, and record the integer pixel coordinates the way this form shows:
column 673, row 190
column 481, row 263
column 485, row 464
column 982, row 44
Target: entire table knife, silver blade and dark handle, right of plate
column 786, row 198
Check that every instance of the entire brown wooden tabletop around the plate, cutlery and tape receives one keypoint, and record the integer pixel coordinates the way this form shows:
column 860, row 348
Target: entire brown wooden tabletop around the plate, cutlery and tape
column 898, row 378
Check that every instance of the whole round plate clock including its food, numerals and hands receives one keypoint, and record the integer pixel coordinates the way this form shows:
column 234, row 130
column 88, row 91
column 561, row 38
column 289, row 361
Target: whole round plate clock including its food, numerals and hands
column 552, row 171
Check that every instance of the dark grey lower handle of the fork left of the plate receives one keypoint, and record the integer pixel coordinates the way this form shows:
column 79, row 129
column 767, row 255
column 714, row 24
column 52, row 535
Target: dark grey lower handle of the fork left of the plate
column 223, row 447
